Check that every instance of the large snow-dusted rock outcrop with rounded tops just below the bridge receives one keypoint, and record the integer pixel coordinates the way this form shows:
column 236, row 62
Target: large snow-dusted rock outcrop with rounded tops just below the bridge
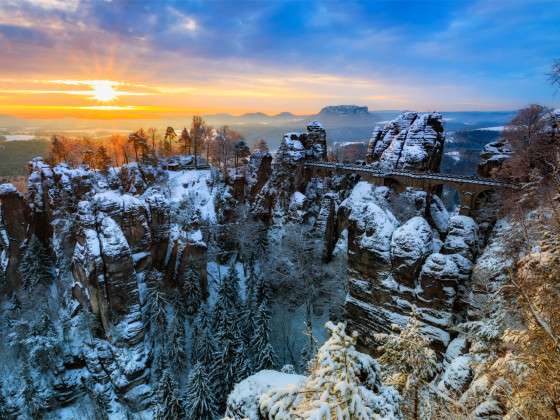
column 395, row 270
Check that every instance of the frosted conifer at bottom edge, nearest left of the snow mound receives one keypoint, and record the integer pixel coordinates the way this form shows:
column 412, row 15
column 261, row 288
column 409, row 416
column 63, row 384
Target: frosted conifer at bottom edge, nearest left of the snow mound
column 200, row 400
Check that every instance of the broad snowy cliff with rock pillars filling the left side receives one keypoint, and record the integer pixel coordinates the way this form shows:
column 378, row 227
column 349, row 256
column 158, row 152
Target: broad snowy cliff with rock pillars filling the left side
column 106, row 234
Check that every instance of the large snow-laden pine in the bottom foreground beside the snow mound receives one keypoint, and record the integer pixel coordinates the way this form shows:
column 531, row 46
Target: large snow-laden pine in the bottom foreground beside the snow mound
column 343, row 384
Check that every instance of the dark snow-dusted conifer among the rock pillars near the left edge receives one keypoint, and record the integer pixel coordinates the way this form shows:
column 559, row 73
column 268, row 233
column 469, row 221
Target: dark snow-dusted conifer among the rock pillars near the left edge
column 35, row 264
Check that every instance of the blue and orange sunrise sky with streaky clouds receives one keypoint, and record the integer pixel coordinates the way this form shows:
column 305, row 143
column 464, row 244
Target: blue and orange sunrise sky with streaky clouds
column 156, row 59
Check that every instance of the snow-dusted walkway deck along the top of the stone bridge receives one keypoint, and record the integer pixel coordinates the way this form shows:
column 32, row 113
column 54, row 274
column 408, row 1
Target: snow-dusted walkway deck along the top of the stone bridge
column 463, row 179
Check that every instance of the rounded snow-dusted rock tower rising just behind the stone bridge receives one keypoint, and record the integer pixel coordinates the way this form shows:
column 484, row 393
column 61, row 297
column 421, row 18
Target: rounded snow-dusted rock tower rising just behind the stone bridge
column 412, row 141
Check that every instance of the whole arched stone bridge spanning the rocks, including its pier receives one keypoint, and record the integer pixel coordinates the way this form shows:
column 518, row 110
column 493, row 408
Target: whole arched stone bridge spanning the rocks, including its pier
column 468, row 187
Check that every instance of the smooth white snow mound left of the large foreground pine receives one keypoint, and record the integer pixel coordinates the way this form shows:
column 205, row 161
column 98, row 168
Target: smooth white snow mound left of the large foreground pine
column 243, row 402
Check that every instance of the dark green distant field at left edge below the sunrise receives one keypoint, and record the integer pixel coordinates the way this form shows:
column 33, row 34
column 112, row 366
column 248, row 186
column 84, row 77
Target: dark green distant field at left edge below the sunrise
column 14, row 155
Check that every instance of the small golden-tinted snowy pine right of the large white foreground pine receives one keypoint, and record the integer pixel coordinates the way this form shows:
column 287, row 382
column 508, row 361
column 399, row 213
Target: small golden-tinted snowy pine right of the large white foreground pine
column 407, row 362
